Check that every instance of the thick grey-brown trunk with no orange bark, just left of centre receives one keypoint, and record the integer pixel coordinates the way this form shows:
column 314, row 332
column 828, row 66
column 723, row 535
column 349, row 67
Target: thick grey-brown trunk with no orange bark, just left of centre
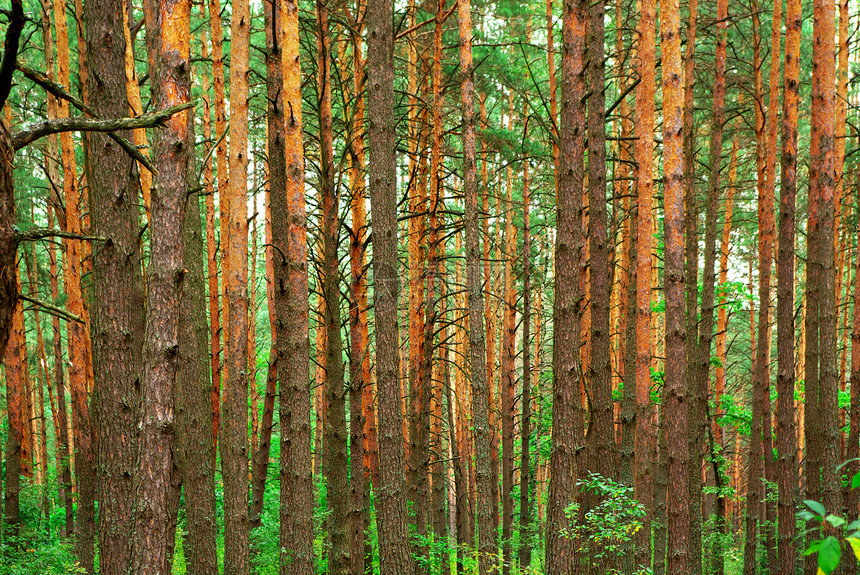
column 395, row 552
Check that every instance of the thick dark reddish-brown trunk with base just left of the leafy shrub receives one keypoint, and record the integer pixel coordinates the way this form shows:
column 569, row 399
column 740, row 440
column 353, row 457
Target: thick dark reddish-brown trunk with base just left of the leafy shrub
column 567, row 418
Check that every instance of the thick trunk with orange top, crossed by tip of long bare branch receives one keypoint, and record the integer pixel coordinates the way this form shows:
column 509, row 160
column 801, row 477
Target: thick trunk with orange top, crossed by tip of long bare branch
column 168, row 45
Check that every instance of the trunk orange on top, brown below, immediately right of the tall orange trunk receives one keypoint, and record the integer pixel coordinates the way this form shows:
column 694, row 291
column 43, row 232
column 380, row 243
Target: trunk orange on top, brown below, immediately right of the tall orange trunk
column 677, row 396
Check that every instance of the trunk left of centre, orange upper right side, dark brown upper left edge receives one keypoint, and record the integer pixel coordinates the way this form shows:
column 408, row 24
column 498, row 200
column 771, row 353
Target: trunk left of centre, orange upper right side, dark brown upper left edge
column 289, row 237
